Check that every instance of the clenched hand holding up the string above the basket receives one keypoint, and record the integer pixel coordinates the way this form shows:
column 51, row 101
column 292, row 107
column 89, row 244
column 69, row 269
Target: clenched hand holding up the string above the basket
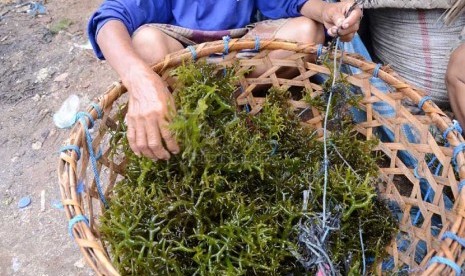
column 333, row 16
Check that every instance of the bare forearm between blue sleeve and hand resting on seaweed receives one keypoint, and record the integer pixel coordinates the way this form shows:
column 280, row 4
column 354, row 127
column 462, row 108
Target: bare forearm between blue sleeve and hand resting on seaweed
column 115, row 43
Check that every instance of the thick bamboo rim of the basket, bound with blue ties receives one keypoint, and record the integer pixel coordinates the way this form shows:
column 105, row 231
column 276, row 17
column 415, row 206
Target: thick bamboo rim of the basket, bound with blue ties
column 91, row 246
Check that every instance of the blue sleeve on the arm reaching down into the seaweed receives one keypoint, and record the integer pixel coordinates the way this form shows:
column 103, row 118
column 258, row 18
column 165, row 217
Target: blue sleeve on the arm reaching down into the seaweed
column 132, row 13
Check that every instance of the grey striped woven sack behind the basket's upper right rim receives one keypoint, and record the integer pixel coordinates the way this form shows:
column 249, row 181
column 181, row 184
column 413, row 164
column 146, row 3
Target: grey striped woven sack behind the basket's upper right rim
column 417, row 45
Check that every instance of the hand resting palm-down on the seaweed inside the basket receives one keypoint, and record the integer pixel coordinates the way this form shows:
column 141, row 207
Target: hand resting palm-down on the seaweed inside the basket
column 150, row 110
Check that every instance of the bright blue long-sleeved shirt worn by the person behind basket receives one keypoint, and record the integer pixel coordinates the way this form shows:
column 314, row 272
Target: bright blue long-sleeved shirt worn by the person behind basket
column 207, row 15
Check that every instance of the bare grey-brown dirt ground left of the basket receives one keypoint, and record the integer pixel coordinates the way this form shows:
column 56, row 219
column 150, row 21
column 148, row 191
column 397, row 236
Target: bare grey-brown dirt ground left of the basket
column 43, row 60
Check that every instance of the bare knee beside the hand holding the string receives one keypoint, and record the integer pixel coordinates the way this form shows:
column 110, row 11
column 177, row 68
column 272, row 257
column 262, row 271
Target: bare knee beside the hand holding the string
column 302, row 29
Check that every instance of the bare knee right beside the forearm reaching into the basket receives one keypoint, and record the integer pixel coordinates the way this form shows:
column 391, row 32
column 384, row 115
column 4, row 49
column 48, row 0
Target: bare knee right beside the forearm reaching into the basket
column 151, row 44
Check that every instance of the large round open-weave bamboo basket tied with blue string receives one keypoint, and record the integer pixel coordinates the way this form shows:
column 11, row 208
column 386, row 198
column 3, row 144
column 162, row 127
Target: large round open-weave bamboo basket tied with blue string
column 399, row 182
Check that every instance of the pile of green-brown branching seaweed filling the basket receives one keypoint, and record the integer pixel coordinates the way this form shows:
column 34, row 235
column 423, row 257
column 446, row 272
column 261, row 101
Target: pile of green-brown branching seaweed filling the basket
column 232, row 201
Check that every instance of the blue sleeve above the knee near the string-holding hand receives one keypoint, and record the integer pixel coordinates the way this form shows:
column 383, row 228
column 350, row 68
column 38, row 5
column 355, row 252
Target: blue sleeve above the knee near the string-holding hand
column 277, row 9
